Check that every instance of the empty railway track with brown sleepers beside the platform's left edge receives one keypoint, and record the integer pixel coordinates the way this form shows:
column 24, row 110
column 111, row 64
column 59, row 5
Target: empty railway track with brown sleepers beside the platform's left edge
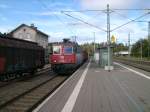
column 24, row 95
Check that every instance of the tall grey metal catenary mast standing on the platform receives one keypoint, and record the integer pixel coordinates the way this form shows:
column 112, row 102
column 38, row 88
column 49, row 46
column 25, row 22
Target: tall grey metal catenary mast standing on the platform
column 108, row 35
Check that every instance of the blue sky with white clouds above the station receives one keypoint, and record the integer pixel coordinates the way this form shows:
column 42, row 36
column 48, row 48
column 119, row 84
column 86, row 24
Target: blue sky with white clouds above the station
column 51, row 17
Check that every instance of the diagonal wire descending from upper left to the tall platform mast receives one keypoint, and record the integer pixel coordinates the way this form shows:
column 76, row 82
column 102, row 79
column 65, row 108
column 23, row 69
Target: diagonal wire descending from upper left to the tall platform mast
column 84, row 22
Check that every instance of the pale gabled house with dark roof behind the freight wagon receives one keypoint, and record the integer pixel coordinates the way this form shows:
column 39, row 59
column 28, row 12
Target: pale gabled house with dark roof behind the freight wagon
column 30, row 33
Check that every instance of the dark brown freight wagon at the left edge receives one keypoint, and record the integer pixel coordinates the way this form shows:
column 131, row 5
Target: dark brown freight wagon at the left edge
column 18, row 57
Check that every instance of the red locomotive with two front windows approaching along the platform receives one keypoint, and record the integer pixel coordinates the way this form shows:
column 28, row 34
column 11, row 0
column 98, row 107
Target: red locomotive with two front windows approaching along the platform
column 66, row 56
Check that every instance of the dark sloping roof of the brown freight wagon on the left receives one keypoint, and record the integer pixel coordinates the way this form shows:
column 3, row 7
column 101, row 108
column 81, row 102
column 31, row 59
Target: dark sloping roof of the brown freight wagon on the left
column 17, row 43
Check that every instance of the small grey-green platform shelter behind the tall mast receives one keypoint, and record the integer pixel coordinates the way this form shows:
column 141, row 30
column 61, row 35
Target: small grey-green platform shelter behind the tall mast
column 103, row 56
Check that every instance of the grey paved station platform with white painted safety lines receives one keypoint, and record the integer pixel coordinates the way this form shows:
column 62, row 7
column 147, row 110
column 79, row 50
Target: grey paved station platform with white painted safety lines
column 92, row 89
